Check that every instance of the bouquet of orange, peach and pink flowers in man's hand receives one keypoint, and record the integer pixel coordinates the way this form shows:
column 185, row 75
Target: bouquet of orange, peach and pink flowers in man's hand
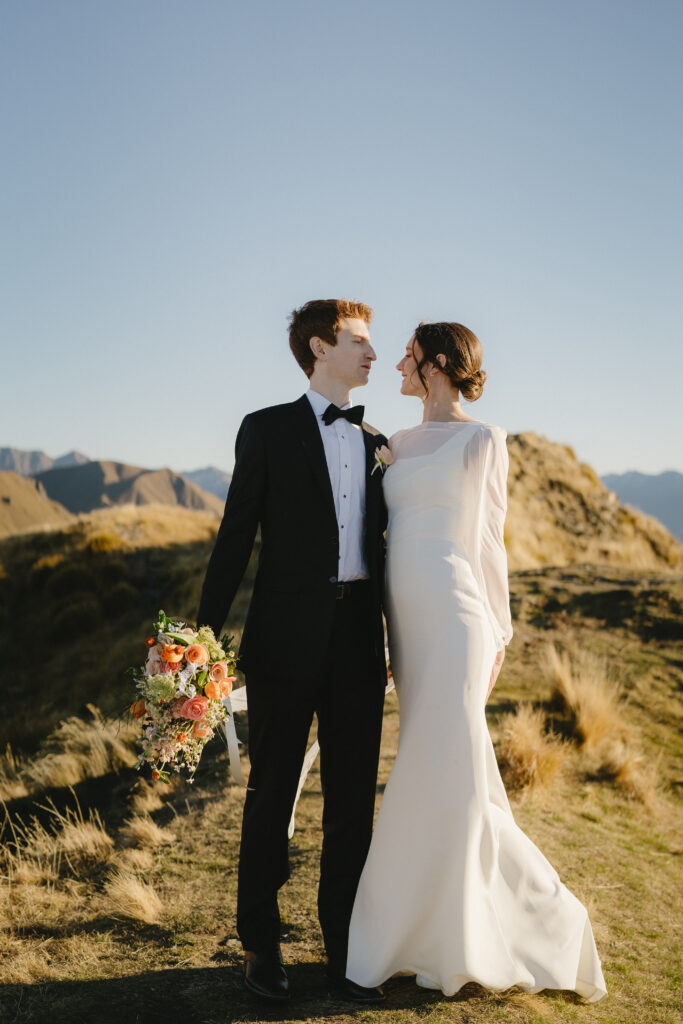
column 182, row 690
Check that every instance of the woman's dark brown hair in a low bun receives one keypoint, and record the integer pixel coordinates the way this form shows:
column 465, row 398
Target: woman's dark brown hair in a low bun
column 462, row 350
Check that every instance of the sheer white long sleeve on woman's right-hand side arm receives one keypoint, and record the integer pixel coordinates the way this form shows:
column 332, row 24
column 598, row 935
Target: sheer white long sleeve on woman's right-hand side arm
column 492, row 459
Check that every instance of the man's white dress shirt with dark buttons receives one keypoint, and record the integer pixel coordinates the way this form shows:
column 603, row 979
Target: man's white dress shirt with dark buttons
column 346, row 455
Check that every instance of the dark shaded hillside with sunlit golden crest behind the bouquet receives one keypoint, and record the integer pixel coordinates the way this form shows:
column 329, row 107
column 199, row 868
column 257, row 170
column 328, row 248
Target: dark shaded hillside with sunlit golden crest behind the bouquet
column 78, row 601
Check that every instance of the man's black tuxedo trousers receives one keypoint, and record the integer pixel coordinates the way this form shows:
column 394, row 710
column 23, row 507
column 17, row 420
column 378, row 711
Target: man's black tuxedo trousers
column 349, row 699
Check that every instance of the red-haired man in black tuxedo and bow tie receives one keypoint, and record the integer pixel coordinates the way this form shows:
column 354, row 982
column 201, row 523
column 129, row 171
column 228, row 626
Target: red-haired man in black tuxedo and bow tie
column 314, row 641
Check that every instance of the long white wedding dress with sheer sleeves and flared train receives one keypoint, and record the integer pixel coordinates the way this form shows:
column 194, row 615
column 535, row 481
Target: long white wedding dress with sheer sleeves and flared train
column 453, row 890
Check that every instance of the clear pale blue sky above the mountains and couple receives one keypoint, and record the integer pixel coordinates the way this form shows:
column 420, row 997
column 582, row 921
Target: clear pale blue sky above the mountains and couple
column 179, row 175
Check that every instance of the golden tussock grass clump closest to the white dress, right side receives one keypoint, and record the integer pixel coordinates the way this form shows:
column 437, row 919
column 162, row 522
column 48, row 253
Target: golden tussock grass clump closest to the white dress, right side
column 530, row 759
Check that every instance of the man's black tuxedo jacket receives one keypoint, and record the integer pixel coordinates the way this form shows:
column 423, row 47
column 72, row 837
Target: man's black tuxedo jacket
column 281, row 483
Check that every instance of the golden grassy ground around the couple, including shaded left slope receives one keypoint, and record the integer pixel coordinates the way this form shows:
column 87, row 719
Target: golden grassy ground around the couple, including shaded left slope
column 117, row 902
